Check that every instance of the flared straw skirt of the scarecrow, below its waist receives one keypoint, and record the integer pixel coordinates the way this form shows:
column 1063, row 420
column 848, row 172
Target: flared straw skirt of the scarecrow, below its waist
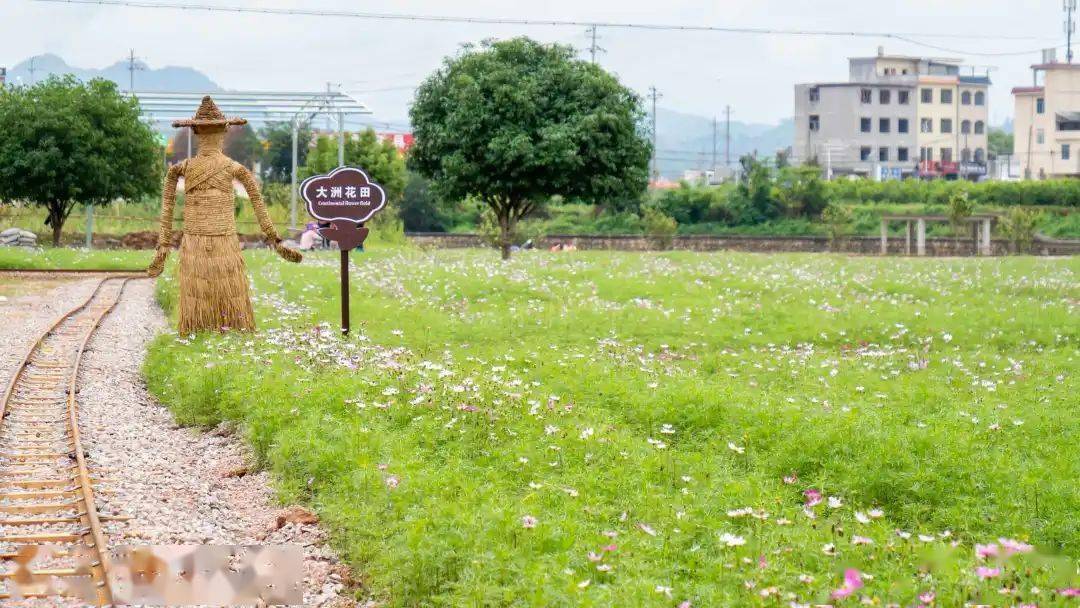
column 213, row 286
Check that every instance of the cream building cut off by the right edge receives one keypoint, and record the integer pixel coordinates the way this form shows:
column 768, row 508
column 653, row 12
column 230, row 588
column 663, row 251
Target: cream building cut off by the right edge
column 1047, row 125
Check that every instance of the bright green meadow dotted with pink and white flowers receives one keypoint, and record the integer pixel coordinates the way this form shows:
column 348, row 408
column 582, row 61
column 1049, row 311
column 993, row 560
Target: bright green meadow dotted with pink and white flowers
column 641, row 407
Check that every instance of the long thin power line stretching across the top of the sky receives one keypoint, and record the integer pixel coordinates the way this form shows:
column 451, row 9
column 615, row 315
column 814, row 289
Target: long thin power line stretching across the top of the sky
column 525, row 22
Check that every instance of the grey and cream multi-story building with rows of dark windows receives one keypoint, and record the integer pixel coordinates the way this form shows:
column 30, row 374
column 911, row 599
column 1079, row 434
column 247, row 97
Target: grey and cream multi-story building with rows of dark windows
column 896, row 117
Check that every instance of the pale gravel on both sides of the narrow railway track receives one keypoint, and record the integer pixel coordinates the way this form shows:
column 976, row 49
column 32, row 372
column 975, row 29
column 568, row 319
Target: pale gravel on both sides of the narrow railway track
column 180, row 487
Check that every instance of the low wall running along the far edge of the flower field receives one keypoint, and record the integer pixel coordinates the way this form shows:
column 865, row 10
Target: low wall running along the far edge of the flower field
column 866, row 246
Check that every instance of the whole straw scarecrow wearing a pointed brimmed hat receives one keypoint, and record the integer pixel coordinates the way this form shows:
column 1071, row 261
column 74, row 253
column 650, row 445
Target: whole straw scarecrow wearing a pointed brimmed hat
column 212, row 273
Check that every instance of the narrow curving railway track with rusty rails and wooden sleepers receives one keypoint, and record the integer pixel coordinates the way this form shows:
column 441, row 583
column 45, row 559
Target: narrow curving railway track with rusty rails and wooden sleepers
column 47, row 490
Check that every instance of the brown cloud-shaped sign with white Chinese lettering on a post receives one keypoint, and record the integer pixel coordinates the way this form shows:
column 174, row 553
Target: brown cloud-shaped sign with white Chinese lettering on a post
column 343, row 201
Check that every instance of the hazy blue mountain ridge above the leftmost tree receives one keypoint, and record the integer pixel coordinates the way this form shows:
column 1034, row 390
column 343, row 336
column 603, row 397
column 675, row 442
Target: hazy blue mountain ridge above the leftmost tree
column 146, row 79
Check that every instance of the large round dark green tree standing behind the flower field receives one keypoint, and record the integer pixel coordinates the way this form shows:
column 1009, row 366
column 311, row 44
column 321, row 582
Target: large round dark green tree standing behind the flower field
column 516, row 123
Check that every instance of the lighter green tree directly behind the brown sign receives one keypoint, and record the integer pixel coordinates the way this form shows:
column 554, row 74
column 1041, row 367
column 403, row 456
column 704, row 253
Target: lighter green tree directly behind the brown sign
column 380, row 159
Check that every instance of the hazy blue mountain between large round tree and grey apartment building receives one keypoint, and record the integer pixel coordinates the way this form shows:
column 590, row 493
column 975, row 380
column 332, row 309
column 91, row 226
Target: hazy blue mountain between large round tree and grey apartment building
column 685, row 142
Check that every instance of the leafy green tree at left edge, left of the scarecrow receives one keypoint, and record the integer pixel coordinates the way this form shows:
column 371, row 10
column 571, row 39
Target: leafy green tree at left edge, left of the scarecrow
column 64, row 143
